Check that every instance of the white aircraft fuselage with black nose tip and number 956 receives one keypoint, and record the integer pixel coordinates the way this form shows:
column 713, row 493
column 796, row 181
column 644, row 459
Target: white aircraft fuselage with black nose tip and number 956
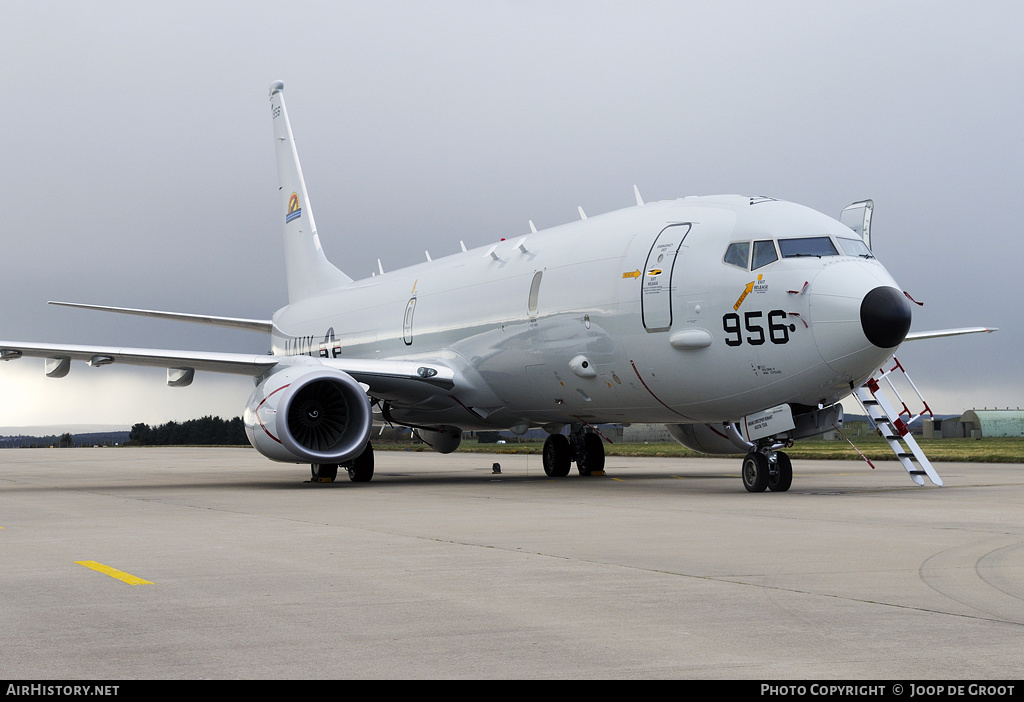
column 701, row 310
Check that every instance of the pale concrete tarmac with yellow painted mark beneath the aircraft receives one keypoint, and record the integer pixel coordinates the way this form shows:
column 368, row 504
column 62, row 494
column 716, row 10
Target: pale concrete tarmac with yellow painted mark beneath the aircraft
column 664, row 568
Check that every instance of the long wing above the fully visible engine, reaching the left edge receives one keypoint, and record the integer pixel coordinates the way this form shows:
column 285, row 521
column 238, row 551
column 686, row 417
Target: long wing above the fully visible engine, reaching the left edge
column 411, row 381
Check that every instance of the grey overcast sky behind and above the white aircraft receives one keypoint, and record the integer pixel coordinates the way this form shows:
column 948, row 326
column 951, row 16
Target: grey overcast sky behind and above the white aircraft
column 138, row 163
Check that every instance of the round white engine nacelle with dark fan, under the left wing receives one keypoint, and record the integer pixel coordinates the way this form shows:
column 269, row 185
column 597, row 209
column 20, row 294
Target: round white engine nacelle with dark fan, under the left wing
column 309, row 414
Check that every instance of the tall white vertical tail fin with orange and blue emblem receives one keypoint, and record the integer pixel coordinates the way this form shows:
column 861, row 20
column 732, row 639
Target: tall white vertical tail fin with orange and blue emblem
column 309, row 271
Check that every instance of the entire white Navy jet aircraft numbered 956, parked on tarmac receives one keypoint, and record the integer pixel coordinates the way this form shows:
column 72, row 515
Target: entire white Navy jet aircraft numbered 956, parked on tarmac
column 739, row 322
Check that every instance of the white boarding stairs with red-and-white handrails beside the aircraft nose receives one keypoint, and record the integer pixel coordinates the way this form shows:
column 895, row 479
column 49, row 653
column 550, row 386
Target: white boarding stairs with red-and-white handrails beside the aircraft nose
column 893, row 424
